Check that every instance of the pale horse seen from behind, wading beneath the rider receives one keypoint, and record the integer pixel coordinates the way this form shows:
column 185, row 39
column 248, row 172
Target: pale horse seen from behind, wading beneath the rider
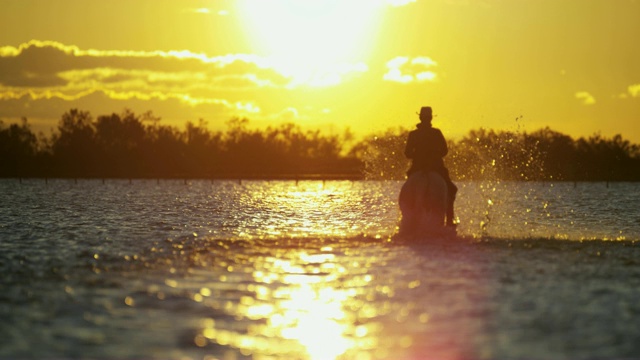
column 423, row 204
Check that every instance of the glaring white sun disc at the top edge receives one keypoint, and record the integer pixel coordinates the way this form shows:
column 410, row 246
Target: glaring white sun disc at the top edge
column 312, row 40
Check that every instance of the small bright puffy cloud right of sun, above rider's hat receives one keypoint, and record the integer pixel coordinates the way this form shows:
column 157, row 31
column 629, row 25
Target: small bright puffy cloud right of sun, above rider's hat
column 406, row 70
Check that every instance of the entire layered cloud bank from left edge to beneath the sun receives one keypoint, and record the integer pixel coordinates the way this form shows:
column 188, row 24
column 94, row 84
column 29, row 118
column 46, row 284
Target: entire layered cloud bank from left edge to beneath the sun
column 42, row 79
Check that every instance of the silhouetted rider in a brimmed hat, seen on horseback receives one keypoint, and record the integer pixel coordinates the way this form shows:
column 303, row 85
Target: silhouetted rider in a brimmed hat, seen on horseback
column 427, row 147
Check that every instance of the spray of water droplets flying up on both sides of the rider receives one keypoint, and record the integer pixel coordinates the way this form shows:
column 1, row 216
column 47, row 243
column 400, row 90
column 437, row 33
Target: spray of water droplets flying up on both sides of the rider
column 508, row 184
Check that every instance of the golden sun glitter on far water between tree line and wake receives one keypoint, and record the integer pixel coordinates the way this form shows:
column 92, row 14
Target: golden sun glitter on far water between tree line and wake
column 314, row 208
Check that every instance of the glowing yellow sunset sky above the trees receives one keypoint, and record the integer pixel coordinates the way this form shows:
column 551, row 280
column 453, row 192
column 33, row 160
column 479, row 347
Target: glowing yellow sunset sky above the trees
column 366, row 65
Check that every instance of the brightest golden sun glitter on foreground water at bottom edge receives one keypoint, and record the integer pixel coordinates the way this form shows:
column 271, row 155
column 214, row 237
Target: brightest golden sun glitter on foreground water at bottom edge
column 296, row 311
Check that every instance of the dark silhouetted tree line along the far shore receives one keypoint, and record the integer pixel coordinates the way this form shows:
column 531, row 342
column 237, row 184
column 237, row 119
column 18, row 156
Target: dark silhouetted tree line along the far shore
column 129, row 145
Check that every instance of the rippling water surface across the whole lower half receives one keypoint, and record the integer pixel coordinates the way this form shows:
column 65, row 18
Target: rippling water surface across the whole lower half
column 311, row 270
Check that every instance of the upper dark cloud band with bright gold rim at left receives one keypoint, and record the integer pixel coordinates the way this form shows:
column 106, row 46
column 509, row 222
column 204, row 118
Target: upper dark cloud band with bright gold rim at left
column 45, row 64
